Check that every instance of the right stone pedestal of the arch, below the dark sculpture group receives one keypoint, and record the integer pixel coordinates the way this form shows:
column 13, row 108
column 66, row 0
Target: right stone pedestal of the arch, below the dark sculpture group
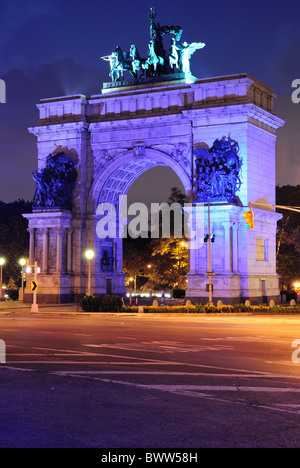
column 240, row 268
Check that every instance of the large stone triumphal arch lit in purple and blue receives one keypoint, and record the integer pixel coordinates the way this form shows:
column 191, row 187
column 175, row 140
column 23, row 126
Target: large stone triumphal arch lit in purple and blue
column 92, row 148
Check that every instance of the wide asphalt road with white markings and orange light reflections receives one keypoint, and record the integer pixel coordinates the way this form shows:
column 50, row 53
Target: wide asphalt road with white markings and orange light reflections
column 149, row 382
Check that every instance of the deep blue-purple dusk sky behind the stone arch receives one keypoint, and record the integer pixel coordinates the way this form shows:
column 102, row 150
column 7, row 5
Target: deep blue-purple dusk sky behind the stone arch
column 53, row 48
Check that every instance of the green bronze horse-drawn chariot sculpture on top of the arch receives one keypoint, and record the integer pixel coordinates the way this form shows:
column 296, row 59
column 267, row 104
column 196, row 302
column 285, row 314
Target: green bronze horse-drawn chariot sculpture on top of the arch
column 159, row 61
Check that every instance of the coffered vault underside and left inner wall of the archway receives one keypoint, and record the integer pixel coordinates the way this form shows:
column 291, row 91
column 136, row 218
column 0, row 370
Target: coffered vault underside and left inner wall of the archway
column 127, row 179
